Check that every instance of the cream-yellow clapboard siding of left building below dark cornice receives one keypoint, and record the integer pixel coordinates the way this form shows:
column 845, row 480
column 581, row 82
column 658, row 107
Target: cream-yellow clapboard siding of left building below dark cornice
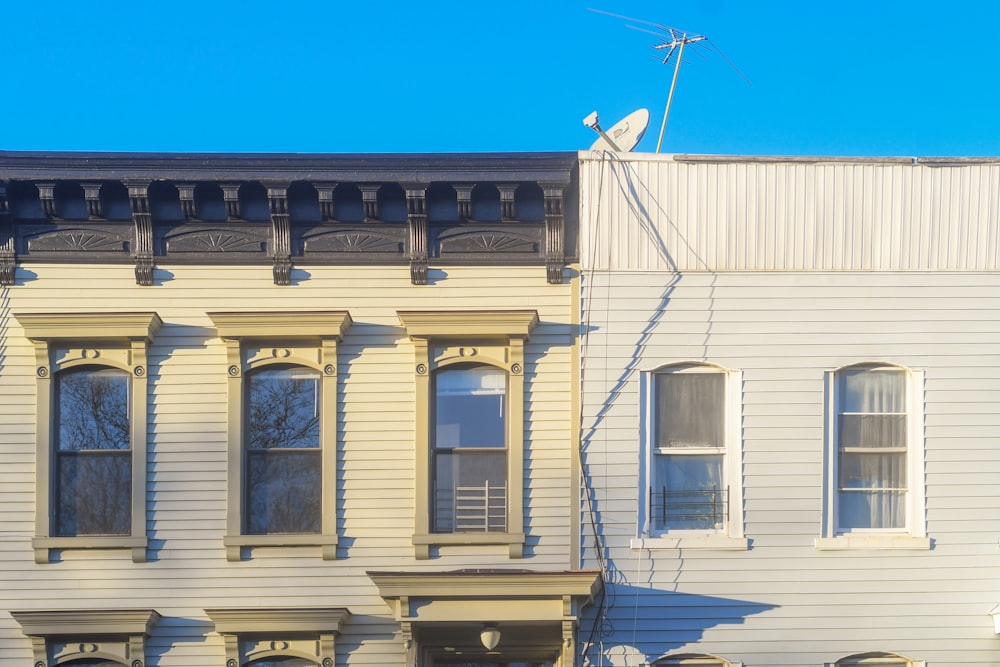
column 188, row 571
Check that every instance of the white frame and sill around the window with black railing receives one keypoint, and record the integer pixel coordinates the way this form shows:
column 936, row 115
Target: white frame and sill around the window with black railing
column 731, row 536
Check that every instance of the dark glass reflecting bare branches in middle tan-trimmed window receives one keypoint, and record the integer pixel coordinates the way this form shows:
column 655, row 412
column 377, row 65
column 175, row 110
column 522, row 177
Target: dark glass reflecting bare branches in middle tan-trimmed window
column 283, row 465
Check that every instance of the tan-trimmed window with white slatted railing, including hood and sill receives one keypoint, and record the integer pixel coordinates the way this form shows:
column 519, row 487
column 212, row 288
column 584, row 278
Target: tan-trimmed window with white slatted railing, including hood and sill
column 469, row 430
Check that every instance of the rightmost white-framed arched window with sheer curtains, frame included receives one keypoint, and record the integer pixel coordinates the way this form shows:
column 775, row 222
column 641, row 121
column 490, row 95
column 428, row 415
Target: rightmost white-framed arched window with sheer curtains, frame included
column 875, row 456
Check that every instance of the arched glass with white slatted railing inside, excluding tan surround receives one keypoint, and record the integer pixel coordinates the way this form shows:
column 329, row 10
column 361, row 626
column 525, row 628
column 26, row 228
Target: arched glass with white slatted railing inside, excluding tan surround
column 470, row 449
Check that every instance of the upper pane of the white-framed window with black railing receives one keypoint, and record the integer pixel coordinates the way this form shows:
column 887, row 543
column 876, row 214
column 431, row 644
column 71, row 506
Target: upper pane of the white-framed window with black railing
column 689, row 409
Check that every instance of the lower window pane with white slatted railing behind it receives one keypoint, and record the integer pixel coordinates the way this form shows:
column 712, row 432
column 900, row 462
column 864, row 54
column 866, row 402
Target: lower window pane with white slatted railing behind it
column 470, row 491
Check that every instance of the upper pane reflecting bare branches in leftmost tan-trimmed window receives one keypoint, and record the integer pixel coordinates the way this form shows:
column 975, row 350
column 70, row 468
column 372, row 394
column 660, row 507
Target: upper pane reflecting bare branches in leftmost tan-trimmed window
column 92, row 409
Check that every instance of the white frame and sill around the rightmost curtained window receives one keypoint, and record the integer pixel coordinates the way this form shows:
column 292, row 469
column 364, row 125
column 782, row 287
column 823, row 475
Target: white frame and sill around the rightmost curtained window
column 913, row 535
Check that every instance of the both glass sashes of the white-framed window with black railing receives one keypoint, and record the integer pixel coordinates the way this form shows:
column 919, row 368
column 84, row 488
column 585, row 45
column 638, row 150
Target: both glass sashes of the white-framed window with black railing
column 688, row 488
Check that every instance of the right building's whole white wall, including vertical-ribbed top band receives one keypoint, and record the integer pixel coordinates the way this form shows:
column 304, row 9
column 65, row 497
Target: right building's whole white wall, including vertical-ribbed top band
column 783, row 321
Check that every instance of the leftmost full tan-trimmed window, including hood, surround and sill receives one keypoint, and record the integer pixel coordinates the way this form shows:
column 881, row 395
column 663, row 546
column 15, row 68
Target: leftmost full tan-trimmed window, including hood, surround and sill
column 91, row 382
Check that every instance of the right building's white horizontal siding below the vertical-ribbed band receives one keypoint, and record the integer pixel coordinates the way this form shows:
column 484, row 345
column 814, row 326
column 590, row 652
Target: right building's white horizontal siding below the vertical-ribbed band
column 783, row 602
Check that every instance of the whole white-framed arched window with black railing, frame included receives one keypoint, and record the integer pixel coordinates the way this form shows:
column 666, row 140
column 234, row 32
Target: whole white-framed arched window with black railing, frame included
column 693, row 469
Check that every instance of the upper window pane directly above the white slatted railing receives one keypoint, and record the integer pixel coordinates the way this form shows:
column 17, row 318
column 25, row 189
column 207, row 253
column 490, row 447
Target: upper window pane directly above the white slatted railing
column 469, row 408
